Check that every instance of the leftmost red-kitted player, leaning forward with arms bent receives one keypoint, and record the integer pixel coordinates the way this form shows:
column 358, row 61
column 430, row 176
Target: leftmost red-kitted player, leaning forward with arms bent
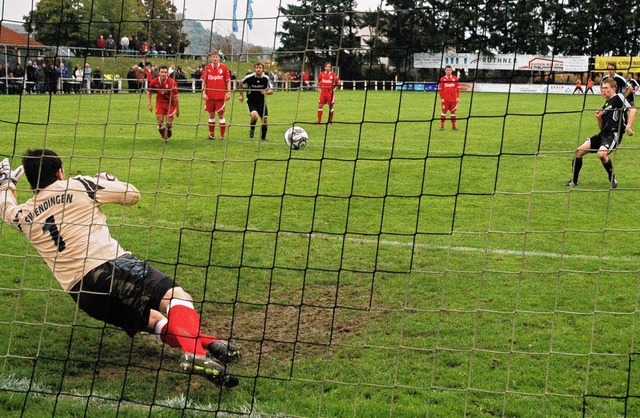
column 167, row 104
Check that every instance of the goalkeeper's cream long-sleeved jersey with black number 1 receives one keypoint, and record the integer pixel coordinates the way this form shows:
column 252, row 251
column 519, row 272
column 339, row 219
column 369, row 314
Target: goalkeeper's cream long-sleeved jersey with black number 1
column 65, row 224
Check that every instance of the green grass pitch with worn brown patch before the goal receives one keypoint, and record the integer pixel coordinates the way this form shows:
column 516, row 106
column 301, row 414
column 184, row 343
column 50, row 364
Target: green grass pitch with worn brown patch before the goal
column 388, row 269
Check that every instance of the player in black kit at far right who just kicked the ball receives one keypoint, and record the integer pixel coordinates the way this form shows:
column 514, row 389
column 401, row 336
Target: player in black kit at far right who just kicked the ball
column 613, row 122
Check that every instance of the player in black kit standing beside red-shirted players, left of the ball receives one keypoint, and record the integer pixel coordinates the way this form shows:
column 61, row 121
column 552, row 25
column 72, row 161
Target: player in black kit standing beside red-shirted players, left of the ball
column 258, row 85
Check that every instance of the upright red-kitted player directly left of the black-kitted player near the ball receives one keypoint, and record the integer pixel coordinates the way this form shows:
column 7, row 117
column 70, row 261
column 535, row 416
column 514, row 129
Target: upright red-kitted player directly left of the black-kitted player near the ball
column 216, row 90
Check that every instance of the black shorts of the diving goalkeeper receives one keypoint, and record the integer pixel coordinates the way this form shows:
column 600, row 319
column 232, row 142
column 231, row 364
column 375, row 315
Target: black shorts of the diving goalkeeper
column 122, row 292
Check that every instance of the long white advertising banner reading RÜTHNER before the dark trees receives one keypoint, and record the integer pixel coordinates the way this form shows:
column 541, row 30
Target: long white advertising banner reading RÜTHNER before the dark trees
column 570, row 64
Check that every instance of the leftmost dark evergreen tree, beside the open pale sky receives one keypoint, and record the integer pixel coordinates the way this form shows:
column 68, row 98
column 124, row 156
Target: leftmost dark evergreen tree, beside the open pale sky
column 316, row 31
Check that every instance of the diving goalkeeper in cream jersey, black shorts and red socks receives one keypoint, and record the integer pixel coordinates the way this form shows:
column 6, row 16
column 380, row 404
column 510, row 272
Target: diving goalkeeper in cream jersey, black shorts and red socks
column 66, row 225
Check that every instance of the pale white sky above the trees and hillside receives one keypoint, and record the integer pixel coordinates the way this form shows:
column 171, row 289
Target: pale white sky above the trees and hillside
column 213, row 14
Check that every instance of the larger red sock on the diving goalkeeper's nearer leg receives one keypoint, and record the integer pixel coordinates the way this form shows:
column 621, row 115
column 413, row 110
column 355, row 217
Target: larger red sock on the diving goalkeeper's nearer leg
column 183, row 327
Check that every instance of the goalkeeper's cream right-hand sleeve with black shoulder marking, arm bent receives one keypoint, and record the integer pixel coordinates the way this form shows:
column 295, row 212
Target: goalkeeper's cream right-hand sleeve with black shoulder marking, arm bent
column 109, row 190
